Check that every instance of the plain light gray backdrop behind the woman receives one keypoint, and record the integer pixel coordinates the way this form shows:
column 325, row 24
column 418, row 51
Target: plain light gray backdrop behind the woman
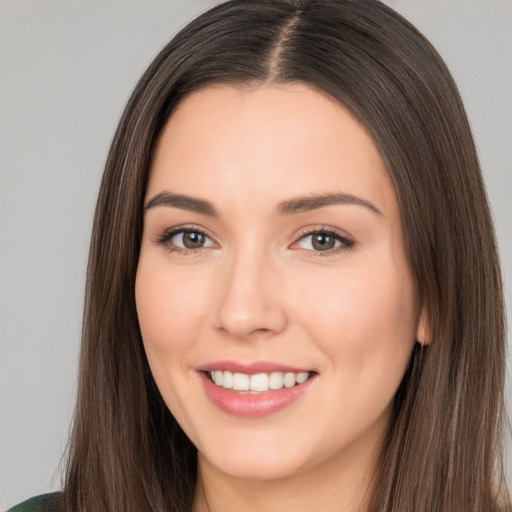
column 67, row 69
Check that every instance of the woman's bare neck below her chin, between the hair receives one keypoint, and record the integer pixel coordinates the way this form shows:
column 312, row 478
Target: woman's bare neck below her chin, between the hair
column 342, row 483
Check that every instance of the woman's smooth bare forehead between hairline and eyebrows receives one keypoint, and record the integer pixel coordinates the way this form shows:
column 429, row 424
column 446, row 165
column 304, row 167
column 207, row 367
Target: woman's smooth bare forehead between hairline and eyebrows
column 267, row 142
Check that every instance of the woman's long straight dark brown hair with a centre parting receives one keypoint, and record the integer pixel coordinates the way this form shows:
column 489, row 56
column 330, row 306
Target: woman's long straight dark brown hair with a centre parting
column 442, row 453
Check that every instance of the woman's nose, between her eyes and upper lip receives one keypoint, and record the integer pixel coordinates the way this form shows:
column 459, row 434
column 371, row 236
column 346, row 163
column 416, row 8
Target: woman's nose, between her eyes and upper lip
column 250, row 304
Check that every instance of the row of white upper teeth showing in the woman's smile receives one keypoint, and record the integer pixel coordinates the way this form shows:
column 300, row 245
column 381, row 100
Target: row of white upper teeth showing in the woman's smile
column 259, row 382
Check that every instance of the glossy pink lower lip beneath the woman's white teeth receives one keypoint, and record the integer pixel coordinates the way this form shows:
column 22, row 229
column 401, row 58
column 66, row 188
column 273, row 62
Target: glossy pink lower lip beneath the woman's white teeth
column 253, row 405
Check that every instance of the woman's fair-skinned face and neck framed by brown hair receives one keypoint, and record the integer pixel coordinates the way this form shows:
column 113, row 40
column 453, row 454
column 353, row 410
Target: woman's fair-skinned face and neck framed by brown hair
column 322, row 288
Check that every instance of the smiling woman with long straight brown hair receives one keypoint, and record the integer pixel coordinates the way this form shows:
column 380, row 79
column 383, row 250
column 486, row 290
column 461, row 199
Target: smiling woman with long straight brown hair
column 293, row 296
